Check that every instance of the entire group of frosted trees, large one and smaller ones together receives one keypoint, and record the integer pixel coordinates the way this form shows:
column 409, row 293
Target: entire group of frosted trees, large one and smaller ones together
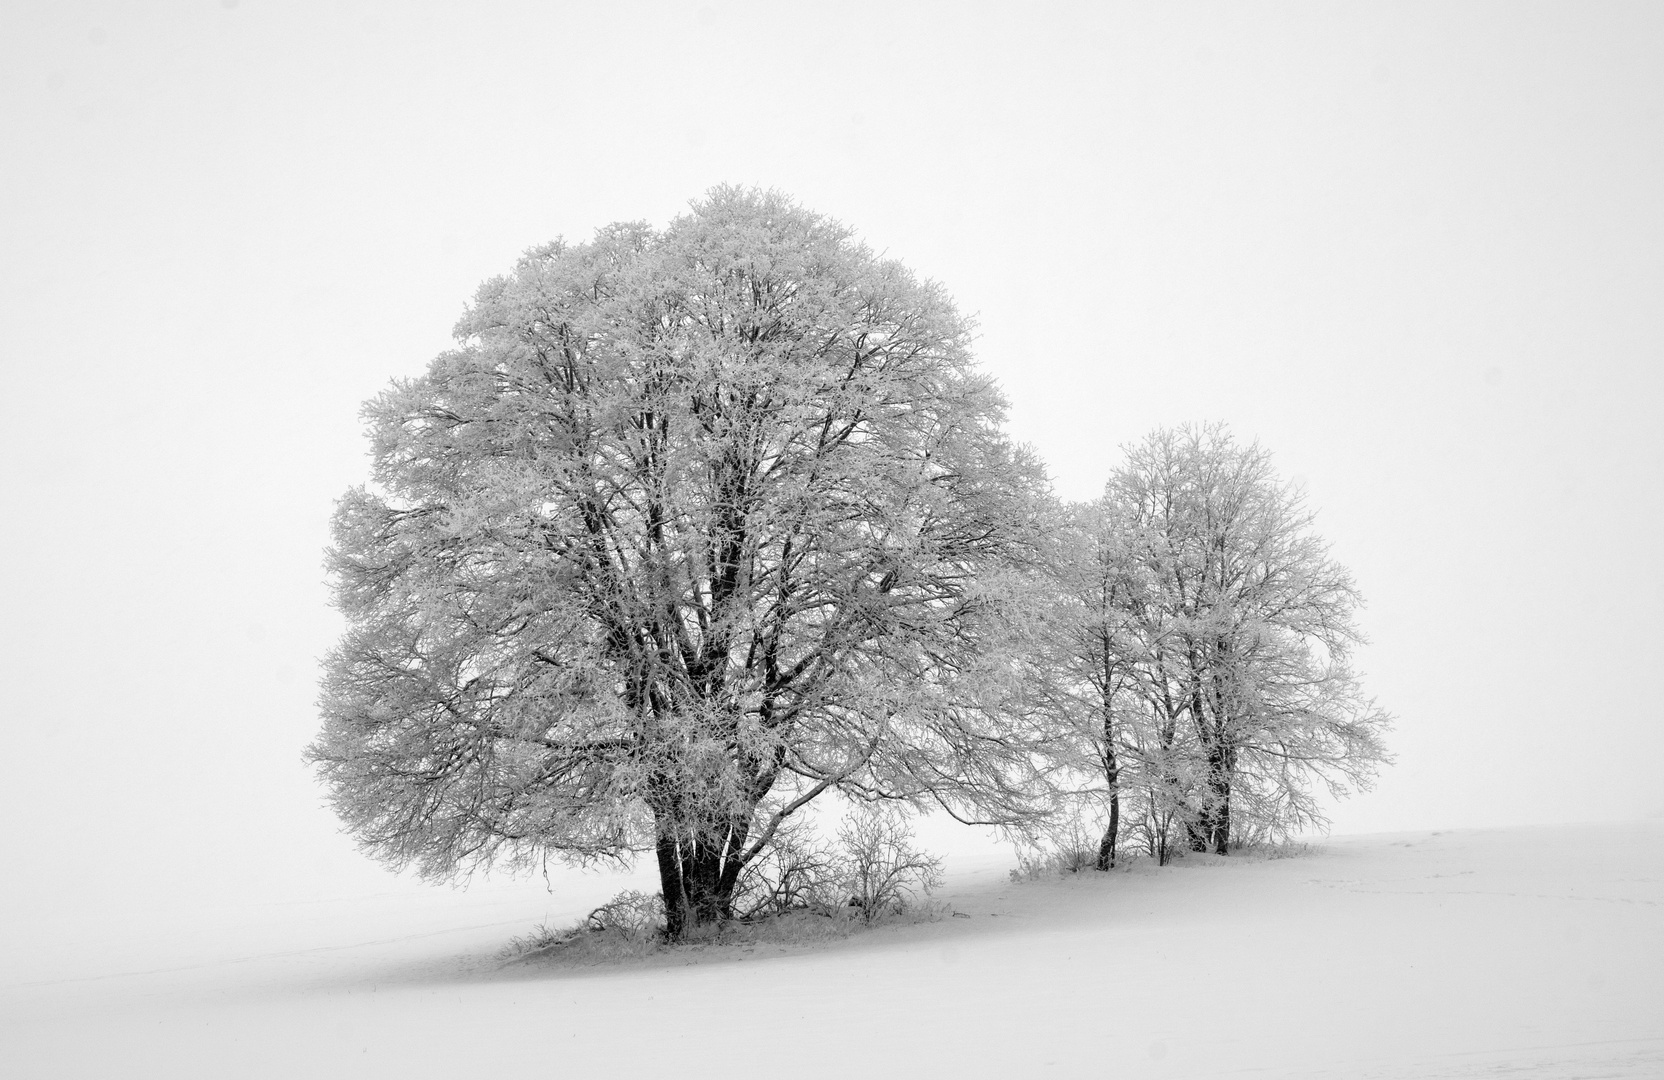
column 700, row 527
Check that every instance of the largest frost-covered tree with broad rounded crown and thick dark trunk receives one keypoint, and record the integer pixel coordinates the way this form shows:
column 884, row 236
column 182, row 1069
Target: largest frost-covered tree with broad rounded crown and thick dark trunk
column 693, row 528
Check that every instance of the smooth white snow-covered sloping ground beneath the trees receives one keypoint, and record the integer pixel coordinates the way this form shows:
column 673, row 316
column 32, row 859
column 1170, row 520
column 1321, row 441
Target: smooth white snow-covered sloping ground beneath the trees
column 1522, row 953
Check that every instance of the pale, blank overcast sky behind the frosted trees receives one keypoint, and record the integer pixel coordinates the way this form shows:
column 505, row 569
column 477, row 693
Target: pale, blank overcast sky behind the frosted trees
column 1417, row 249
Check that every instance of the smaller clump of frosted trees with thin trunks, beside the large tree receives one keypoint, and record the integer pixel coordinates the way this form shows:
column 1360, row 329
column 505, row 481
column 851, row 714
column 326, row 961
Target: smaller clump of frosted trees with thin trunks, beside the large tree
column 1204, row 653
